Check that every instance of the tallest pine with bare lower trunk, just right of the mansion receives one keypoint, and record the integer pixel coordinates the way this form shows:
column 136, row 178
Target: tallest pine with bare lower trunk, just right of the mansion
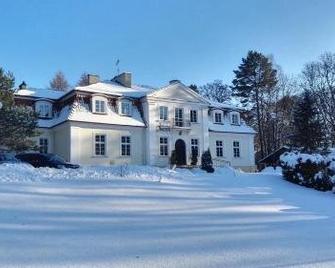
column 254, row 80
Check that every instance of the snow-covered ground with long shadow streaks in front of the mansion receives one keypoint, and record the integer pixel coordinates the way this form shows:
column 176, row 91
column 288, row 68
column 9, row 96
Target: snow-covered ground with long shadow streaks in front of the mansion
column 160, row 218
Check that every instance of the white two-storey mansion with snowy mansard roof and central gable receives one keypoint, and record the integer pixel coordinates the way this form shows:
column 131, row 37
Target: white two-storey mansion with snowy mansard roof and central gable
column 116, row 122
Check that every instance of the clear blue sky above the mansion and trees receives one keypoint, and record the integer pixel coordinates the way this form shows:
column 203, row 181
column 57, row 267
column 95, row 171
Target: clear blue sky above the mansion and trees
column 194, row 41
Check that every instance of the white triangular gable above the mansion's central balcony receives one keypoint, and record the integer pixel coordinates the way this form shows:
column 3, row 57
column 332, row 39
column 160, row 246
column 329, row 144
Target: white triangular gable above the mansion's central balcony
column 178, row 92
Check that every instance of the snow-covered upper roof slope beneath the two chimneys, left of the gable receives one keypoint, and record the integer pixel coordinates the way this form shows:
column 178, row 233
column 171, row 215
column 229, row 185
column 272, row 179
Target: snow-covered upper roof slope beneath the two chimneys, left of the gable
column 114, row 88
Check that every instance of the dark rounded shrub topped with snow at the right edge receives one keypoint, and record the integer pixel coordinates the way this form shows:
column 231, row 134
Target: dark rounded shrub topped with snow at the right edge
column 310, row 170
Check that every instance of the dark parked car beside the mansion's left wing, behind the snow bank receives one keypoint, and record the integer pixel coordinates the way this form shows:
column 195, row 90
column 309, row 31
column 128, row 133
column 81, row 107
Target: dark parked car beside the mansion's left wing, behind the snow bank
column 45, row 160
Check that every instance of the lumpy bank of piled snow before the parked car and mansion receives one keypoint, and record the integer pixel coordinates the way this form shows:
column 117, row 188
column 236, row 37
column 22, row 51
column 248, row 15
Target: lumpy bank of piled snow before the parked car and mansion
column 24, row 172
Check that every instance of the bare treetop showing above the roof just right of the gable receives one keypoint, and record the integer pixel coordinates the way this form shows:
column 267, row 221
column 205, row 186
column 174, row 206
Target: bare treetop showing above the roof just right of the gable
column 216, row 91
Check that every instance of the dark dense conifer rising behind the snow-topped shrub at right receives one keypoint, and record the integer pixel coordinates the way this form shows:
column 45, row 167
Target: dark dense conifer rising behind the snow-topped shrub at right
column 307, row 125
